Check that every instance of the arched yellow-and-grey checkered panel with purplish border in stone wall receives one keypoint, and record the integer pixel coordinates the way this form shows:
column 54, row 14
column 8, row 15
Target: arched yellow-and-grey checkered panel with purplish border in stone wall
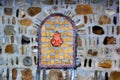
column 57, row 42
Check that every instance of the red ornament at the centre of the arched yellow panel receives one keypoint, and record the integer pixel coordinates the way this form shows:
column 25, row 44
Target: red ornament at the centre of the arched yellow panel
column 57, row 40
